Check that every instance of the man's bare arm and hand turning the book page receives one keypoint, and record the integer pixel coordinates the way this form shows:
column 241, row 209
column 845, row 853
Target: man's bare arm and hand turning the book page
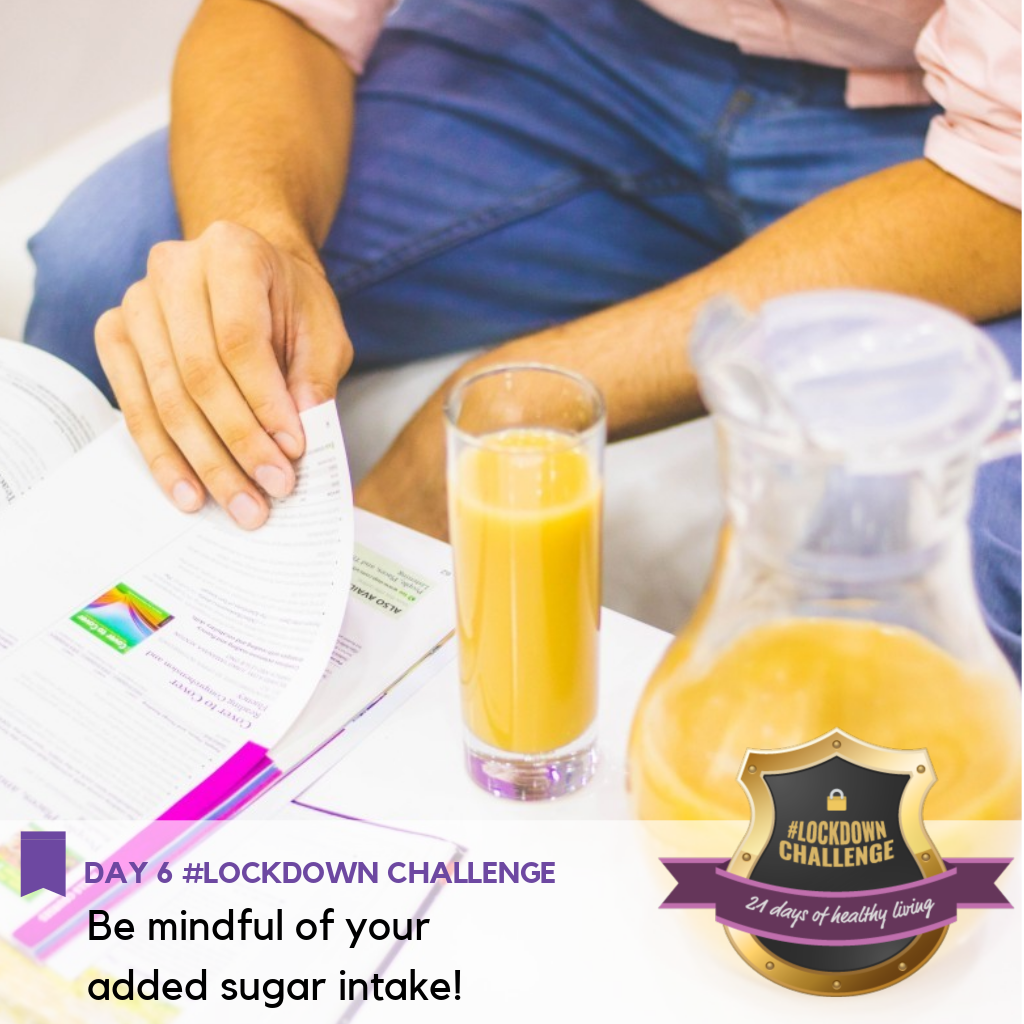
column 236, row 330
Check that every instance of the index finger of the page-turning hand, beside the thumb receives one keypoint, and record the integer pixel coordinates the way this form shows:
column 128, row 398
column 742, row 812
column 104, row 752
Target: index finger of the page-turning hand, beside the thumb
column 239, row 280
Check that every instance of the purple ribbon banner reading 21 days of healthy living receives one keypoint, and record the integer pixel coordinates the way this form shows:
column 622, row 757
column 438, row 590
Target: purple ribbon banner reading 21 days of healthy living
column 836, row 919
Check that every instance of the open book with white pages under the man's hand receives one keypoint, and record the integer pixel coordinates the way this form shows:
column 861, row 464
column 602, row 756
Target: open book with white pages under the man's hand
column 159, row 666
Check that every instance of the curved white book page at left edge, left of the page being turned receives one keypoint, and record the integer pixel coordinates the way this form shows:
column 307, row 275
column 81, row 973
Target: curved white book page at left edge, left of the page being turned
column 49, row 411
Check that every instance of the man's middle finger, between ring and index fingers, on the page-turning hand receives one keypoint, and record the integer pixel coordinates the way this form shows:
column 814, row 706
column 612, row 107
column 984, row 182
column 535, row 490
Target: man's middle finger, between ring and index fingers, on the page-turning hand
column 183, row 300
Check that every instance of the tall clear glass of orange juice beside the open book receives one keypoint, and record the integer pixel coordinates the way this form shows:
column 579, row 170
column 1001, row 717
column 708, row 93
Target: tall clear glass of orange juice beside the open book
column 526, row 445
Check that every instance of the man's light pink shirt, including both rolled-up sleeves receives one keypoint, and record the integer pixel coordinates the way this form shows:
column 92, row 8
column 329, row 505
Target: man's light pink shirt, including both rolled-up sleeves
column 966, row 55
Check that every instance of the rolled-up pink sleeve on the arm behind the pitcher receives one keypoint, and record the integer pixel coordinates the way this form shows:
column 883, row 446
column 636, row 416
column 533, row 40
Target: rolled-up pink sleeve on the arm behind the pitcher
column 971, row 53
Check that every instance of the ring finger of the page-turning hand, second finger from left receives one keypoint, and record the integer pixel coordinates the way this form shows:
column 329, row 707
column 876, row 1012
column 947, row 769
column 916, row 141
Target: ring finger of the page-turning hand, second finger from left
column 182, row 418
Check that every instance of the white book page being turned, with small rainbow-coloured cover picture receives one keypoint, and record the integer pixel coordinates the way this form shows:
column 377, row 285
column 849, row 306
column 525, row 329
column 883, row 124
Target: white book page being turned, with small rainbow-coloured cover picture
column 146, row 648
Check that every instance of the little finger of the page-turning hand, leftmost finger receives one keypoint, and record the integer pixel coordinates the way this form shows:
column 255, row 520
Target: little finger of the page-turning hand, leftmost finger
column 124, row 371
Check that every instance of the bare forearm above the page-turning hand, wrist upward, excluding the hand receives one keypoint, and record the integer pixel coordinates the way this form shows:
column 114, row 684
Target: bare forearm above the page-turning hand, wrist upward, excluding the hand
column 261, row 125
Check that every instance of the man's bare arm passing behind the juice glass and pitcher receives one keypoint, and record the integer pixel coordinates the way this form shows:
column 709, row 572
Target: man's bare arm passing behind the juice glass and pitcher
column 912, row 229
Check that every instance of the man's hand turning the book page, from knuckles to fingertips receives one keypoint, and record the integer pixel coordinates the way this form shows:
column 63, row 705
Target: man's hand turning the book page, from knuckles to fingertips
column 214, row 356
